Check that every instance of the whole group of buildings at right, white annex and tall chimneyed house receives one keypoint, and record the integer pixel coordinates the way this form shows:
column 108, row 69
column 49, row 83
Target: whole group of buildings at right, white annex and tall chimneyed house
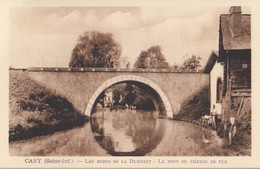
column 230, row 74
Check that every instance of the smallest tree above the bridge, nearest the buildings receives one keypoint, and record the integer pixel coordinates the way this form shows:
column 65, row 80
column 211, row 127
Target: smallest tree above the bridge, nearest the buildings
column 192, row 63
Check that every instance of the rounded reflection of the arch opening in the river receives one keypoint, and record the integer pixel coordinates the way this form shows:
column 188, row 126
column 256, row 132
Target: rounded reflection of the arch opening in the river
column 127, row 132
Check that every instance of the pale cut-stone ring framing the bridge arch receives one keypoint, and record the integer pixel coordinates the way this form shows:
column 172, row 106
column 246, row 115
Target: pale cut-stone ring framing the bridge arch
column 157, row 95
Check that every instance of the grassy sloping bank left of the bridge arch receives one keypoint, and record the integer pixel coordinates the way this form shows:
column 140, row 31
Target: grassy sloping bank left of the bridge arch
column 34, row 111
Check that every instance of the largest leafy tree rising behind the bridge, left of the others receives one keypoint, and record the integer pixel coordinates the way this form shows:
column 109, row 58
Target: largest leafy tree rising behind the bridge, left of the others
column 95, row 49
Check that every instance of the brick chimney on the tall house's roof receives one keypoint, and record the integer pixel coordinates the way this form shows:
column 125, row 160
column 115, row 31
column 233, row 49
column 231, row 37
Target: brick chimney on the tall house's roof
column 235, row 21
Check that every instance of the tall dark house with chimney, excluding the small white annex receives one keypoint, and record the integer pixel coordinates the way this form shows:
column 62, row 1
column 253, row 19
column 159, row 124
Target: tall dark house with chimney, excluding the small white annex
column 235, row 54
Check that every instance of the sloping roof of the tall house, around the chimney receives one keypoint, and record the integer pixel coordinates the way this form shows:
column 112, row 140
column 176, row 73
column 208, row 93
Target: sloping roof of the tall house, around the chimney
column 235, row 43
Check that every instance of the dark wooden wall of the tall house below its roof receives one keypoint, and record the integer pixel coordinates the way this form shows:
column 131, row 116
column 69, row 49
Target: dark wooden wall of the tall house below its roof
column 237, row 68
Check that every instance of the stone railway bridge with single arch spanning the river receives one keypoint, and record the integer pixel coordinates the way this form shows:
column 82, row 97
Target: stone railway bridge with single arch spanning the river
column 169, row 89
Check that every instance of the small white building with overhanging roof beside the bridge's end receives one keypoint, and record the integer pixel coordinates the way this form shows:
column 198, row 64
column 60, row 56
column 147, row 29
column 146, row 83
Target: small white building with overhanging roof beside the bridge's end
column 215, row 71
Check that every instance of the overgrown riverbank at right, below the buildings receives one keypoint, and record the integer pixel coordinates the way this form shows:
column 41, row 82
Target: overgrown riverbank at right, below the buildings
column 198, row 106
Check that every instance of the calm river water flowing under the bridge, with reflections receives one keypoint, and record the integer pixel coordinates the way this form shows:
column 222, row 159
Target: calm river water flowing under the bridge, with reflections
column 125, row 132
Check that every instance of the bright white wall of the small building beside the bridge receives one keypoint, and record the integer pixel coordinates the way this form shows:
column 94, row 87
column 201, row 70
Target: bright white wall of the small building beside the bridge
column 216, row 72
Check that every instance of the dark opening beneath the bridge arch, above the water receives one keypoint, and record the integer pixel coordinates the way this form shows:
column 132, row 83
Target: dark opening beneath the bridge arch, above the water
column 131, row 95
